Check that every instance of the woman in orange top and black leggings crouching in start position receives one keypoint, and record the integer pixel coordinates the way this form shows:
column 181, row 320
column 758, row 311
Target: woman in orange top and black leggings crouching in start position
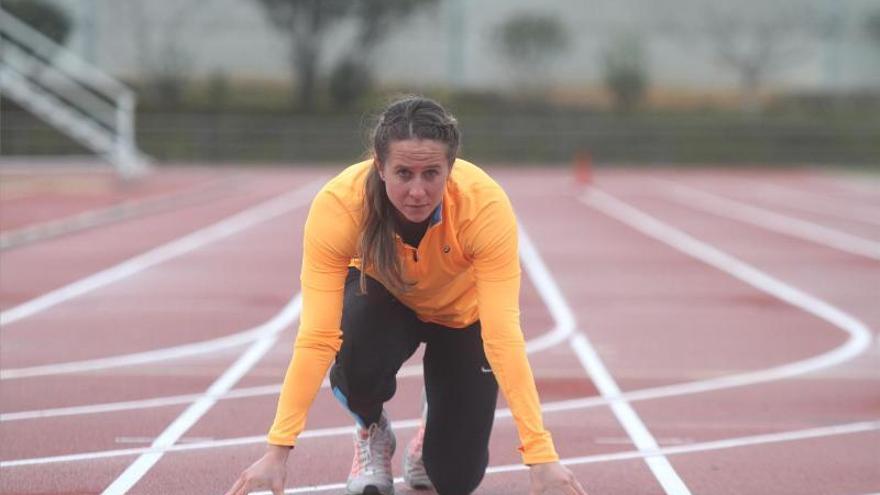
column 413, row 246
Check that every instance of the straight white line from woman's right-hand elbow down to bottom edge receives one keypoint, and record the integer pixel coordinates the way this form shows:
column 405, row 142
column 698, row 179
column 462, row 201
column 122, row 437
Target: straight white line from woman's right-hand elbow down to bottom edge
column 597, row 371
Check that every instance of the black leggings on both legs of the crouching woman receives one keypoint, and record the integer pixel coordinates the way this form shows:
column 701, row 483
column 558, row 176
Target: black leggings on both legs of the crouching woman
column 379, row 335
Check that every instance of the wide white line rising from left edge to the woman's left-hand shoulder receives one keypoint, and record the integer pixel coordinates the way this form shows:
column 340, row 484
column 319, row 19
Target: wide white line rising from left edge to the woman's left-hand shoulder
column 252, row 216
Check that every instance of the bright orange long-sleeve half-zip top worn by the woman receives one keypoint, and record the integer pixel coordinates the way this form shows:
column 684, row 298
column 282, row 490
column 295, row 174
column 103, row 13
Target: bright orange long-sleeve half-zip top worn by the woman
column 466, row 268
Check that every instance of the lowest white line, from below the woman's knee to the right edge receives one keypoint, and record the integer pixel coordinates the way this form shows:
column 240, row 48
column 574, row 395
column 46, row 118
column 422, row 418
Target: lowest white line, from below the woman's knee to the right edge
column 790, row 436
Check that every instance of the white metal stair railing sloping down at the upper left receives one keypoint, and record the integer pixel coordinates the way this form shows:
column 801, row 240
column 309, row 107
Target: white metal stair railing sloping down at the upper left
column 72, row 95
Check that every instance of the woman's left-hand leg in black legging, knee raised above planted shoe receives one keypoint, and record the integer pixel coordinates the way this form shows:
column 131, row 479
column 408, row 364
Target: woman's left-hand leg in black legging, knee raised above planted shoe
column 378, row 335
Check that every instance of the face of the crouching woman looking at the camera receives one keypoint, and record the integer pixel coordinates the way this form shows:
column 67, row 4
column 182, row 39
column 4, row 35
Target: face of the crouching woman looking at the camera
column 415, row 174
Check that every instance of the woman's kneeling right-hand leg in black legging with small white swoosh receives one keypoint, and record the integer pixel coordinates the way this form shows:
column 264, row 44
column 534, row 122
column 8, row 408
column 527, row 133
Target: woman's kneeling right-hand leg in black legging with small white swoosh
column 462, row 393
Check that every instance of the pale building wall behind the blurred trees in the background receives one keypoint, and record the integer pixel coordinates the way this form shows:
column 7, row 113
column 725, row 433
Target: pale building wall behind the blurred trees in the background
column 450, row 44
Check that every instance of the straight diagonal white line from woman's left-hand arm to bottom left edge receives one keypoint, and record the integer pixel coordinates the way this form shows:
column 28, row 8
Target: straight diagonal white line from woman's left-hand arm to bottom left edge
column 195, row 411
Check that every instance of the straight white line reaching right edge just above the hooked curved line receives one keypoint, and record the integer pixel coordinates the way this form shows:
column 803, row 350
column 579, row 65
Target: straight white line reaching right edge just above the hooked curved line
column 761, row 217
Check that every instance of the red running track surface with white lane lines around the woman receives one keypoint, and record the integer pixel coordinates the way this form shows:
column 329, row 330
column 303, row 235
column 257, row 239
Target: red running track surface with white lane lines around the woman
column 655, row 315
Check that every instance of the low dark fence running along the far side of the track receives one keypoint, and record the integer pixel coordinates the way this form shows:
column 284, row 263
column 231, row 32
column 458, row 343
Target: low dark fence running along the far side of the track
column 534, row 138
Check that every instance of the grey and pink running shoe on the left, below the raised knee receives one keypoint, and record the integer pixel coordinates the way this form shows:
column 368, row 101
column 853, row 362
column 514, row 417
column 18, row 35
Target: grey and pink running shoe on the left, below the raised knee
column 371, row 467
